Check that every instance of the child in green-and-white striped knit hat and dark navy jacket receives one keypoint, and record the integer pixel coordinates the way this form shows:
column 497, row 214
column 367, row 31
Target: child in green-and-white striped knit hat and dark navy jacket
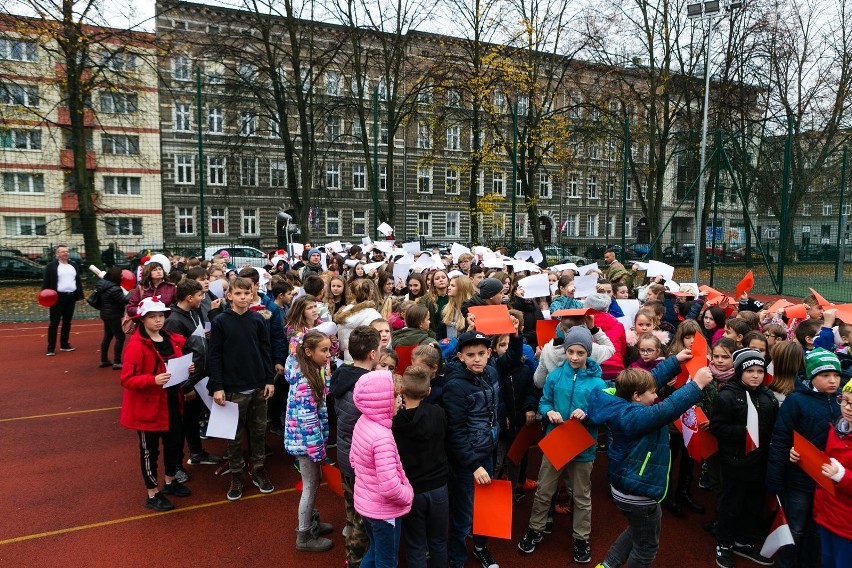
column 809, row 410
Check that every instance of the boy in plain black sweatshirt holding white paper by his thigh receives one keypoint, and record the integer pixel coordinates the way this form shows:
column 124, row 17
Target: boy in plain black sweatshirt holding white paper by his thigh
column 241, row 371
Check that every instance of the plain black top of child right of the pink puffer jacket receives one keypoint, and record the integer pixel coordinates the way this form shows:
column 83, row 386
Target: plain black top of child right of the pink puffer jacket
column 420, row 434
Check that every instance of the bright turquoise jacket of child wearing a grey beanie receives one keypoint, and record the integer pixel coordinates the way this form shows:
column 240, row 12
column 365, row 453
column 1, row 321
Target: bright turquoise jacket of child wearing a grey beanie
column 567, row 389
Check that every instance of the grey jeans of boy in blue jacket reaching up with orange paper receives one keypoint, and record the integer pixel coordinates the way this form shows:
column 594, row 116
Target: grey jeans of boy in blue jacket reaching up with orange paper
column 638, row 544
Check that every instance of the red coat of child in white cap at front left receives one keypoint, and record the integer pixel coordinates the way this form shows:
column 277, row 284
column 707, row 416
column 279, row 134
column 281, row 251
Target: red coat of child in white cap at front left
column 144, row 405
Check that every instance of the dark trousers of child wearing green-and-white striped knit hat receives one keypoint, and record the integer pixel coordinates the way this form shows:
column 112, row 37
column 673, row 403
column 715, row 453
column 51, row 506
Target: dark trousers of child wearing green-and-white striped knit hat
column 798, row 507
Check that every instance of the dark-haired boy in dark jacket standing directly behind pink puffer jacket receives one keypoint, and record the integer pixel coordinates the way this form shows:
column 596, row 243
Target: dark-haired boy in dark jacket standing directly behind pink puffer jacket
column 364, row 349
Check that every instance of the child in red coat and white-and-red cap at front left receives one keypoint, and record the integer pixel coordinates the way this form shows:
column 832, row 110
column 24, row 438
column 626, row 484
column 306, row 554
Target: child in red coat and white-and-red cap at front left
column 153, row 411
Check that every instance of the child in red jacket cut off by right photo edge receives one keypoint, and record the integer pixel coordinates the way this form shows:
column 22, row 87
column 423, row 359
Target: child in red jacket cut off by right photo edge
column 833, row 513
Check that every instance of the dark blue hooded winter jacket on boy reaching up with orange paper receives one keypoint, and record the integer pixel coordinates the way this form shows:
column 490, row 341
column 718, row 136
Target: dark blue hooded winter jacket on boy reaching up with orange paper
column 639, row 457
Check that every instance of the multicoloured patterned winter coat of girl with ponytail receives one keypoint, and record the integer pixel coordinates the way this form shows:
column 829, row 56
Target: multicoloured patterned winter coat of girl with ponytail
column 306, row 425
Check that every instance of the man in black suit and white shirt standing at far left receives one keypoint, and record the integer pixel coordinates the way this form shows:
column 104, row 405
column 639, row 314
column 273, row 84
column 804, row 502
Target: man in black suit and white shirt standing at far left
column 61, row 276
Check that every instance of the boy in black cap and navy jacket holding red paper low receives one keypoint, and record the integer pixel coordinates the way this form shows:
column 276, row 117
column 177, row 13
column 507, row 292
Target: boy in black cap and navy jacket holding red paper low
column 472, row 402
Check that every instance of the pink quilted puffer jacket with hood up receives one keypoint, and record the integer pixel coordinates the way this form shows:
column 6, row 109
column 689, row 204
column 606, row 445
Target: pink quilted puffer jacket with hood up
column 382, row 490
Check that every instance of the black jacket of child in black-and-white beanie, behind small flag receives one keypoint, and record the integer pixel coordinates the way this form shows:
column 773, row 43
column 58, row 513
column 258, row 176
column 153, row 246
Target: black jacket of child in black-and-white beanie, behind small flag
column 730, row 412
